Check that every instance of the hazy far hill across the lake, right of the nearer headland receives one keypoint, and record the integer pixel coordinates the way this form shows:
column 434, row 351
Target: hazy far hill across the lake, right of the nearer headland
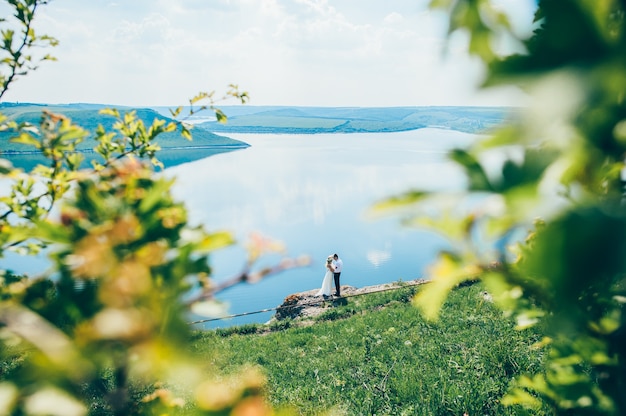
column 311, row 120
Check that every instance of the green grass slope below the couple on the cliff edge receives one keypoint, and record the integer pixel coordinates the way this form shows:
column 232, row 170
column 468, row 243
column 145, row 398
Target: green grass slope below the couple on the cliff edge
column 375, row 354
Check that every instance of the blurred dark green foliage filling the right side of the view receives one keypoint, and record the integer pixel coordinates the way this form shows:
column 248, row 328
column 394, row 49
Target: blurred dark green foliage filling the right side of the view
column 542, row 221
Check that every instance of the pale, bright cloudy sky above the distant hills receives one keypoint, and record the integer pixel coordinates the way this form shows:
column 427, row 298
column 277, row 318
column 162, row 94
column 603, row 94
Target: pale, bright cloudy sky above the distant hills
column 354, row 53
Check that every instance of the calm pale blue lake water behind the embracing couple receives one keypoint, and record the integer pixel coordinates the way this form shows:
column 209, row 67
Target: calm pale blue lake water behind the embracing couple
column 312, row 192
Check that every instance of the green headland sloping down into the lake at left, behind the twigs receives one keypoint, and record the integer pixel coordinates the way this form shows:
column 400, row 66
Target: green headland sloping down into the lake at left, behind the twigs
column 88, row 117
